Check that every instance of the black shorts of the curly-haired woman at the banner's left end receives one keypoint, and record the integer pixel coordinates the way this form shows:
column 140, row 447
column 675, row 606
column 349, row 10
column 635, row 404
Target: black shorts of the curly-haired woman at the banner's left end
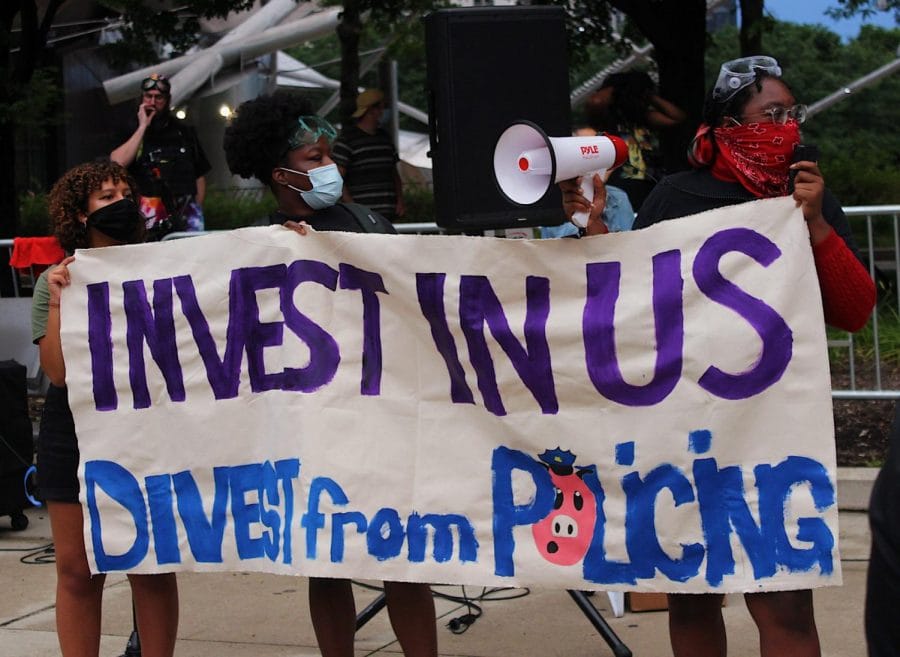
column 57, row 450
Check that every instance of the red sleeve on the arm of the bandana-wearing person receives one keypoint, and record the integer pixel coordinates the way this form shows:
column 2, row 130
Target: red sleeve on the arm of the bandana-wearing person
column 848, row 292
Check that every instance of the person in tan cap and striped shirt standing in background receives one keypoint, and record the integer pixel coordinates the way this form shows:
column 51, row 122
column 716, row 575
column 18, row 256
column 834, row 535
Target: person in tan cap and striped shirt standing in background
column 367, row 159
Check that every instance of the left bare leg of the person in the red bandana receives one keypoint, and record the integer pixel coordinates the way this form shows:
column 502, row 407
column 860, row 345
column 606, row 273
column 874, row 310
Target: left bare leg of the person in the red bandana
column 696, row 626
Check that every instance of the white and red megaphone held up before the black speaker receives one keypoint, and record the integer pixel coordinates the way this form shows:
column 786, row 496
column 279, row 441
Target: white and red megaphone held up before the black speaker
column 527, row 162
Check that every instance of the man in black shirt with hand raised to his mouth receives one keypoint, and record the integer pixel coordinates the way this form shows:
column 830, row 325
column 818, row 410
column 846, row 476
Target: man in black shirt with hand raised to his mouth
column 165, row 157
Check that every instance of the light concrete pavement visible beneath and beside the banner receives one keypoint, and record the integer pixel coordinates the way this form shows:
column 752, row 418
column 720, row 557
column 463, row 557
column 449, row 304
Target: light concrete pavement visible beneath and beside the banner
column 232, row 614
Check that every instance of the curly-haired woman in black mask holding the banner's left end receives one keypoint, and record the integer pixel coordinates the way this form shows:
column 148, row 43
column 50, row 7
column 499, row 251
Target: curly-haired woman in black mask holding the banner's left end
column 91, row 206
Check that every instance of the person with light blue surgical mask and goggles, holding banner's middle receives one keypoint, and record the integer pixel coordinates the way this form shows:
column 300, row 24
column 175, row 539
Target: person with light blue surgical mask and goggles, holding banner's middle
column 278, row 140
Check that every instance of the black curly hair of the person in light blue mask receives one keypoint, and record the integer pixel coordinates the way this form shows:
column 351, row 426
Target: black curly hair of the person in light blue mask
column 256, row 139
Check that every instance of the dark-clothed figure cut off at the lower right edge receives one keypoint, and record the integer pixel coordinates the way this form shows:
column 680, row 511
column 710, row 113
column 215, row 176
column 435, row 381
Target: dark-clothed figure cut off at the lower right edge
column 883, row 577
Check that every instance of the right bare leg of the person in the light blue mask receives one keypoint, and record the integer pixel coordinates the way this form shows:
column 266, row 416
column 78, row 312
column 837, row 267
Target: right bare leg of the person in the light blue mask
column 411, row 609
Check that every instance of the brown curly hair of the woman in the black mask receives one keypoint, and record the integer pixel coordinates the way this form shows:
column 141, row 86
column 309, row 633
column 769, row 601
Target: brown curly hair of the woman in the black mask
column 68, row 200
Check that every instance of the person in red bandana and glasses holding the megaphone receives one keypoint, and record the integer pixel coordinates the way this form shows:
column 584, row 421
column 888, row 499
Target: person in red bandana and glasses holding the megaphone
column 743, row 152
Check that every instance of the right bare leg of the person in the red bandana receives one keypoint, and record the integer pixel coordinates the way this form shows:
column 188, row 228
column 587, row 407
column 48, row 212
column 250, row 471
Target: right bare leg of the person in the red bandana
column 786, row 623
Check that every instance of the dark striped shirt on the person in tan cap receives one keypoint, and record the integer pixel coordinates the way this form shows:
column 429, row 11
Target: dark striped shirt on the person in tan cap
column 370, row 166
